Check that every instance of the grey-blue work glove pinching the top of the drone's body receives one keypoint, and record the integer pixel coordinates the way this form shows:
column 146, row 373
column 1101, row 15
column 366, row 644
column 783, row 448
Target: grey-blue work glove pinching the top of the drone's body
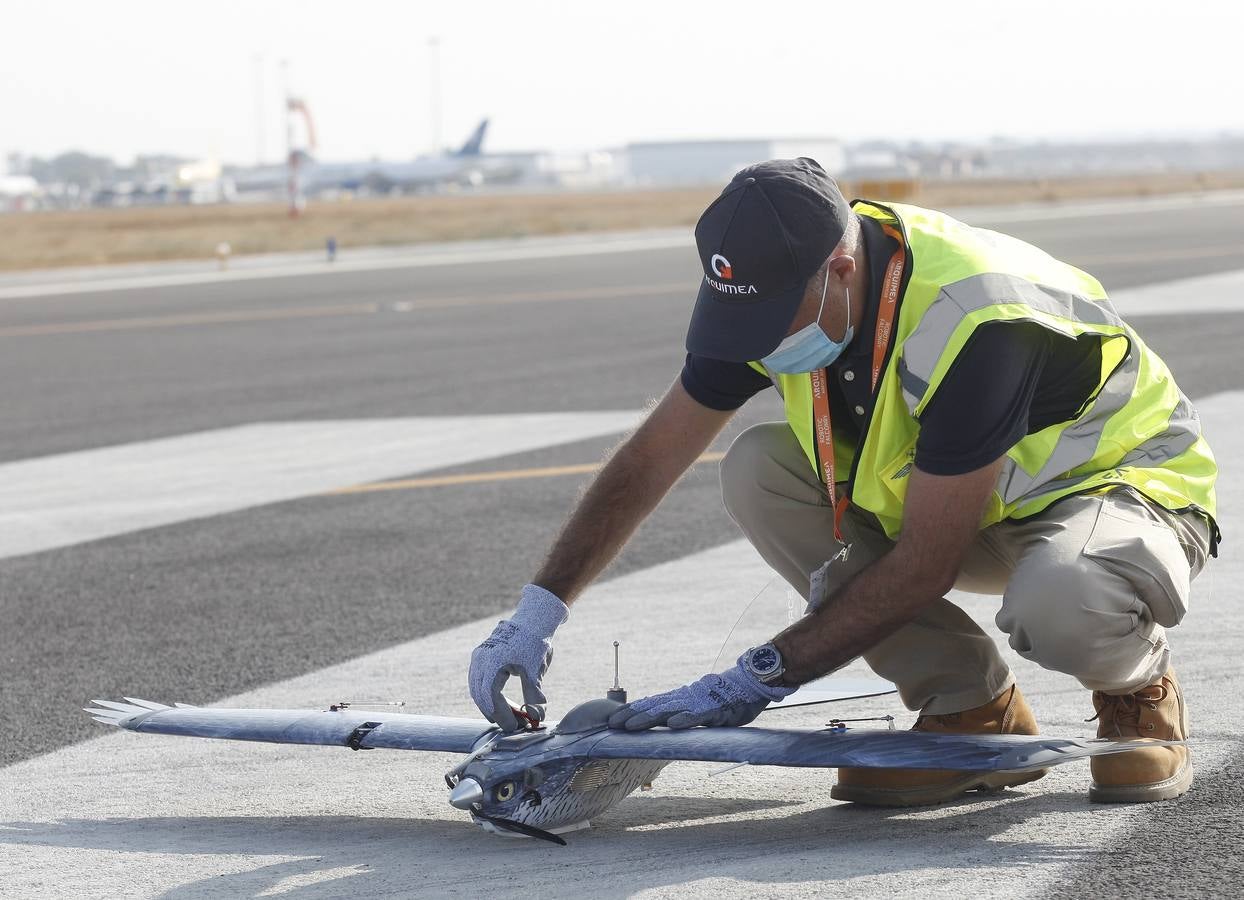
column 519, row 645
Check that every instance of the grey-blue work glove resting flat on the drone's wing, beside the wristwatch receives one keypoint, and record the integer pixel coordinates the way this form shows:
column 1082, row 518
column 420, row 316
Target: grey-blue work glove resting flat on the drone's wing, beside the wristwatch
column 733, row 698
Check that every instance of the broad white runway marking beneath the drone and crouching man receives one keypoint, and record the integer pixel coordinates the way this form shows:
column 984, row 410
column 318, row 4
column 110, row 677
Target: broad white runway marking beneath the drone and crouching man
column 131, row 815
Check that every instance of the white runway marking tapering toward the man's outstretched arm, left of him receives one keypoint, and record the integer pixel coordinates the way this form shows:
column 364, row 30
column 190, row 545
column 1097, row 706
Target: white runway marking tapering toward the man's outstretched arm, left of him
column 69, row 499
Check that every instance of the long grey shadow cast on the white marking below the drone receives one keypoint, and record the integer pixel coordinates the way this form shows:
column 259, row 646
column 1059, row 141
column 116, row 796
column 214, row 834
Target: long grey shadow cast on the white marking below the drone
column 652, row 842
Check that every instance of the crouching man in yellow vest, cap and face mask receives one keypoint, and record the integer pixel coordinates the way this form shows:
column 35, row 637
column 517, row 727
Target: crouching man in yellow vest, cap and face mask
column 962, row 410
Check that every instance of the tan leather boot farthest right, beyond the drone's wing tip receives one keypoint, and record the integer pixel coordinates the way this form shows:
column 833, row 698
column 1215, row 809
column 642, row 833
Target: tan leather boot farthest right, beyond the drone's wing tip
column 1155, row 774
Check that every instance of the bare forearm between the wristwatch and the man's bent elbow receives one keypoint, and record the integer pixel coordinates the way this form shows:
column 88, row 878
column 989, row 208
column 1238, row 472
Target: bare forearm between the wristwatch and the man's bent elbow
column 870, row 608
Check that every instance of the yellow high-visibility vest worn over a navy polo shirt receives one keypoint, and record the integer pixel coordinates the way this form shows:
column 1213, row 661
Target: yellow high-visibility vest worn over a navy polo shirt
column 1136, row 430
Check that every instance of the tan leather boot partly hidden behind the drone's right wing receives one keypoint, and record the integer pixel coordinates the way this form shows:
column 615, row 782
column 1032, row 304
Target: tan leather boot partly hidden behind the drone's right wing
column 1007, row 714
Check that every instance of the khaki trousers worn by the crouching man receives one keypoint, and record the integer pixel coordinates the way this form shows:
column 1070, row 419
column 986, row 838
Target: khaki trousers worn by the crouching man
column 1088, row 587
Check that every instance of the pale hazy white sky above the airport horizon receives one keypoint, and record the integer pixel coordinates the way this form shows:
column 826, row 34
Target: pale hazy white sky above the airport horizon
column 141, row 77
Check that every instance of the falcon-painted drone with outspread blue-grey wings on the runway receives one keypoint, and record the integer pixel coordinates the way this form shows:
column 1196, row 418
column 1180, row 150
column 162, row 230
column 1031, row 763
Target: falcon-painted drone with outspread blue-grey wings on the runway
column 559, row 777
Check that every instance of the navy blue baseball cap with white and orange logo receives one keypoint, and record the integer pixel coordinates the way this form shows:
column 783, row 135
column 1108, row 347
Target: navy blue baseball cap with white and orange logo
column 772, row 228
